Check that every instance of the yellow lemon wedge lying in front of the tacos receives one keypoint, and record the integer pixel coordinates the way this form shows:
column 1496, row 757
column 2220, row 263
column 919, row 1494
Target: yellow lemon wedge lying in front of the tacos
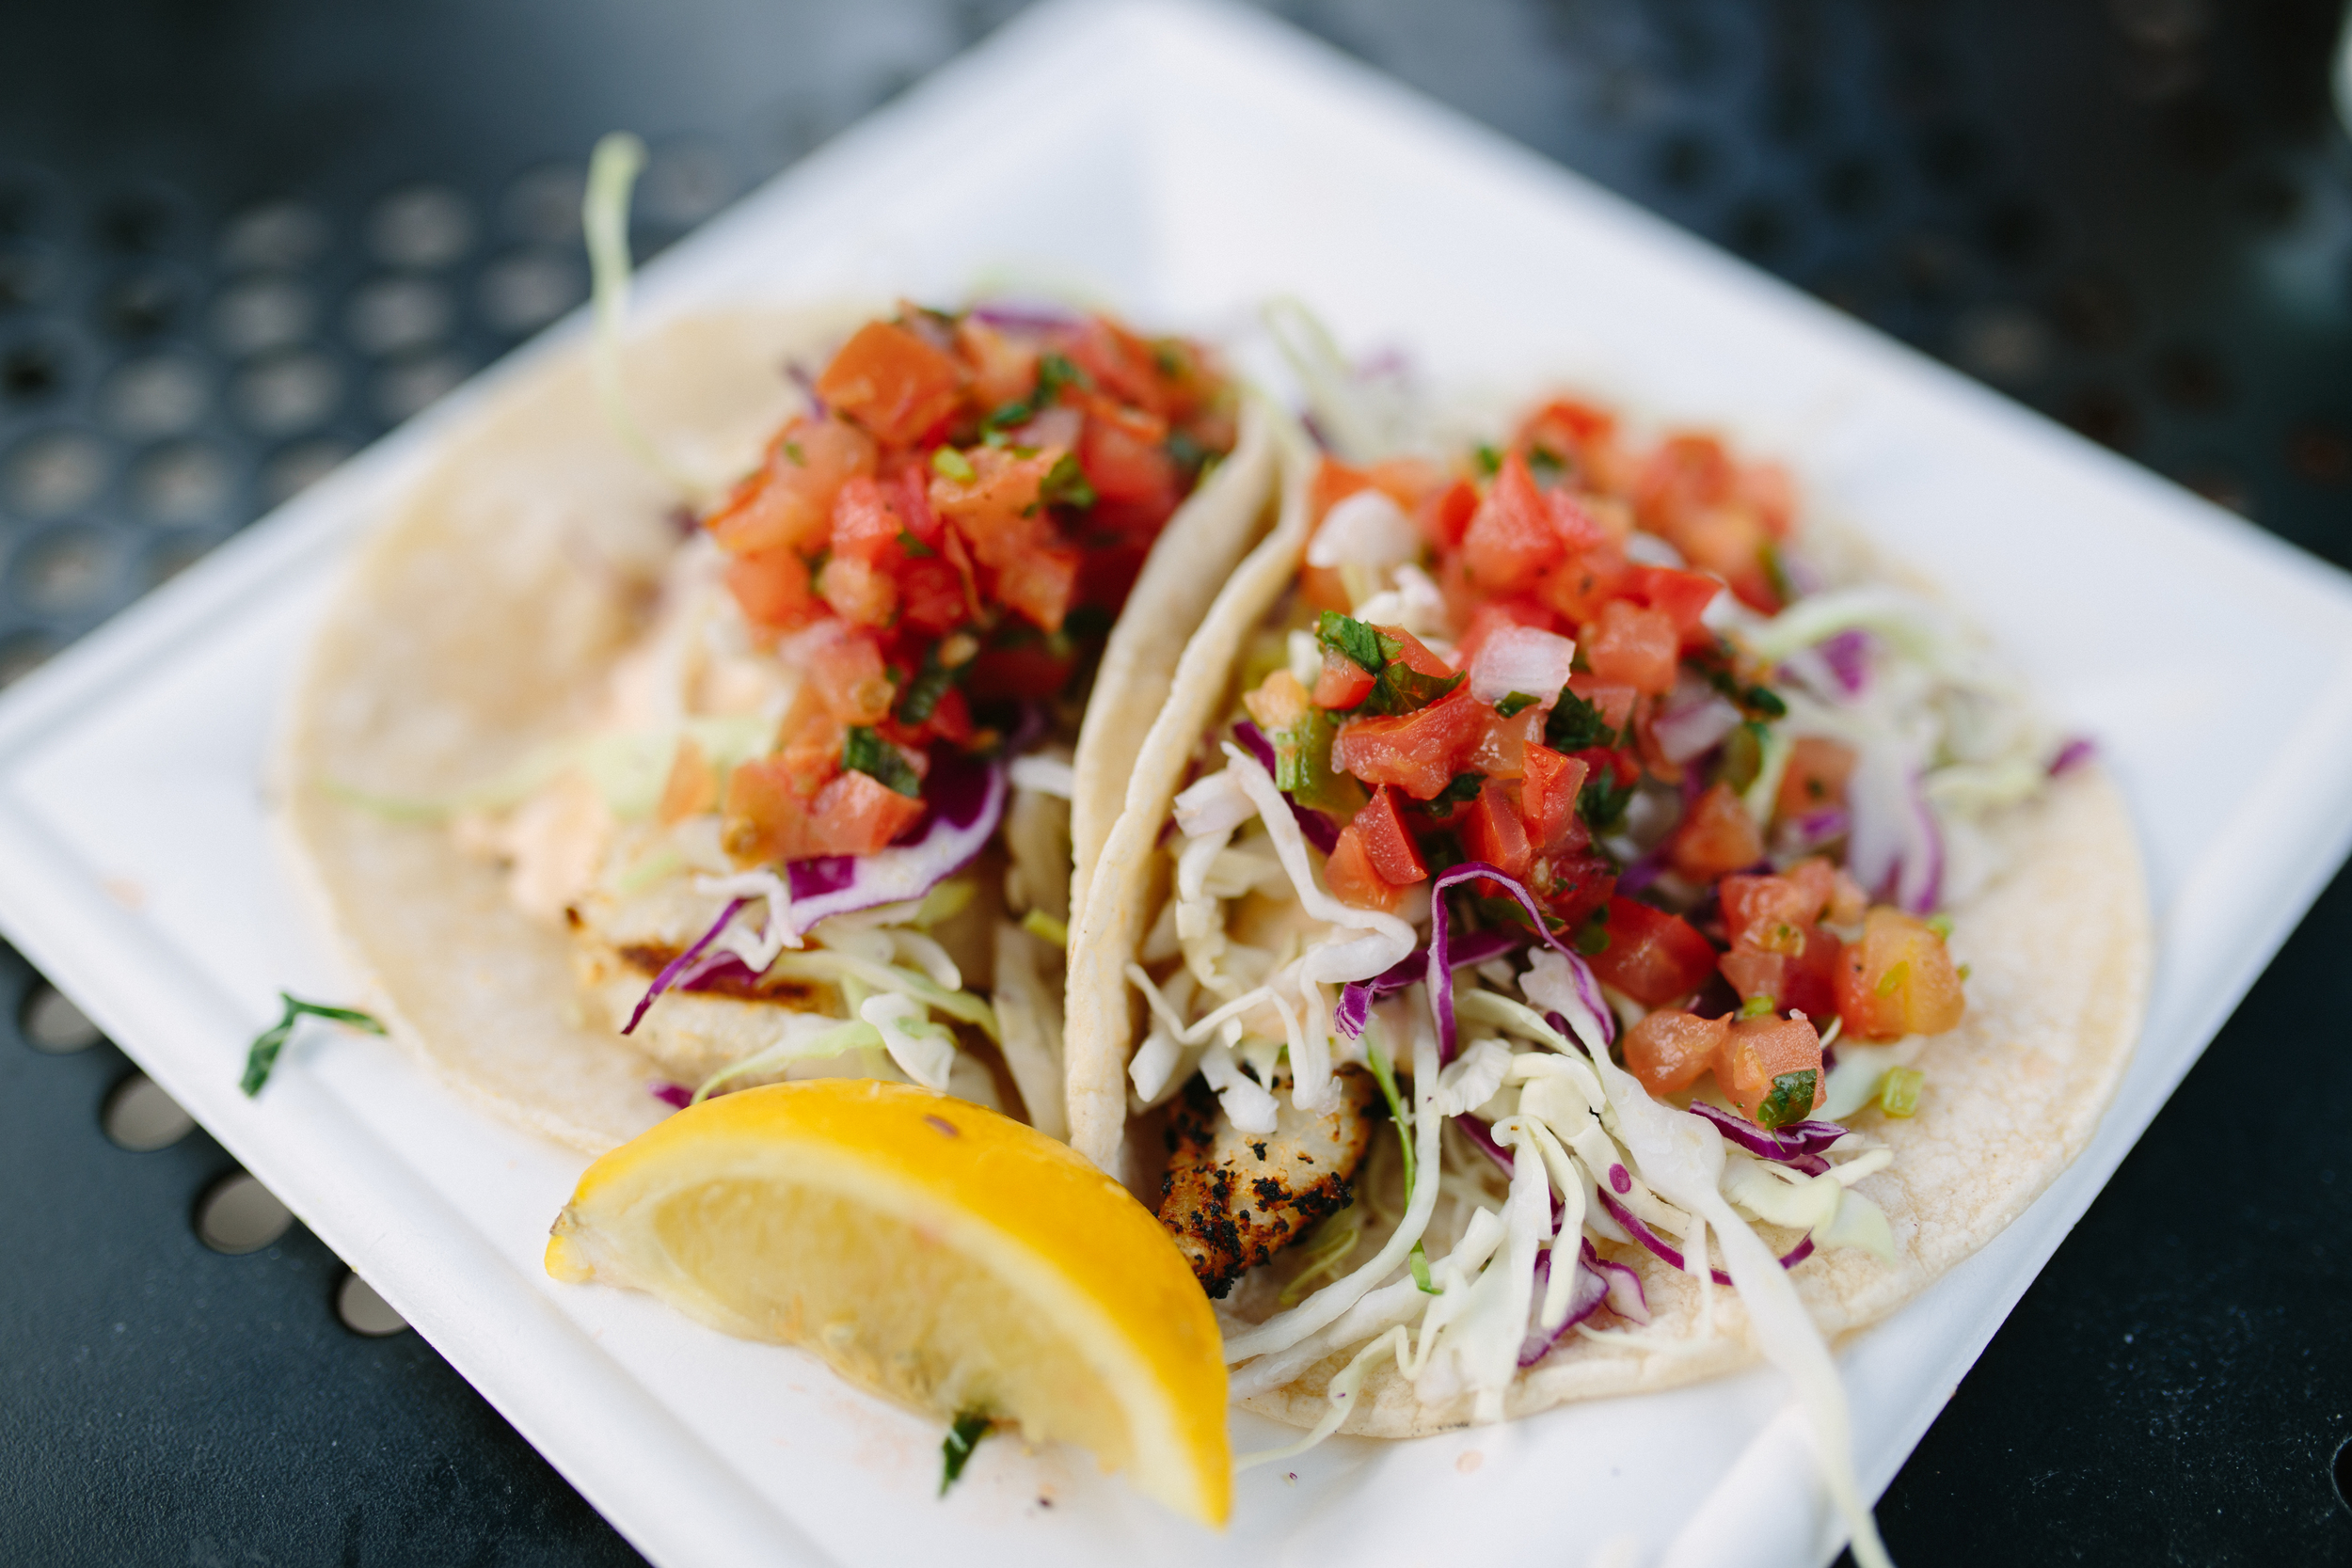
column 933, row 1252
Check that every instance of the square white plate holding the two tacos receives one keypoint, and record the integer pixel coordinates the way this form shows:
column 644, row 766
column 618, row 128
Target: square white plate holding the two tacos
column 1189, row 163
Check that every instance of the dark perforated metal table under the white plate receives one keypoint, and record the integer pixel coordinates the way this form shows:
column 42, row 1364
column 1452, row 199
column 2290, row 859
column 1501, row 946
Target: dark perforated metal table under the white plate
column 243, row 239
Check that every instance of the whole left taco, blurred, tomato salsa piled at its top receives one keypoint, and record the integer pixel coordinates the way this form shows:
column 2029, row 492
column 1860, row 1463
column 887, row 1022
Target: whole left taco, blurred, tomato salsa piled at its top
column 768, row 758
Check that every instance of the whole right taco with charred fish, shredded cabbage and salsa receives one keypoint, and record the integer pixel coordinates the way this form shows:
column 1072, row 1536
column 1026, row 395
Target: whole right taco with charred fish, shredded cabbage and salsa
column 1579, row 927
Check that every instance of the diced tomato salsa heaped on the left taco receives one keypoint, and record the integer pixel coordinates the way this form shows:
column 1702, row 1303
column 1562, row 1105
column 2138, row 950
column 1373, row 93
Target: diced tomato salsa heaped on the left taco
column 947, row 532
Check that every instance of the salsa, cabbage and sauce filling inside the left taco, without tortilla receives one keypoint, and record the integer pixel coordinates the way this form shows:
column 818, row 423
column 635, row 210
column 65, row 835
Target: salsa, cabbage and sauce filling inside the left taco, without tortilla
column 824, row 812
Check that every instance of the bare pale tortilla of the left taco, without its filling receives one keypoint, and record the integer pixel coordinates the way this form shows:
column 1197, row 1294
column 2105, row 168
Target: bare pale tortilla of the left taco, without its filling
column 481, row 624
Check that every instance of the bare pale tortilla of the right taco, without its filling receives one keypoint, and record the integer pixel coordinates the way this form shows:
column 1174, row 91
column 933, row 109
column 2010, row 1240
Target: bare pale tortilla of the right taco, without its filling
column 2059, row 949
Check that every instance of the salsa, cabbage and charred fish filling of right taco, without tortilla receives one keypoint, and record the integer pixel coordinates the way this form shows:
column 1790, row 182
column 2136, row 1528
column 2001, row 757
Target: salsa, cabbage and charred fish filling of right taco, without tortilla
column 1558, row 796
